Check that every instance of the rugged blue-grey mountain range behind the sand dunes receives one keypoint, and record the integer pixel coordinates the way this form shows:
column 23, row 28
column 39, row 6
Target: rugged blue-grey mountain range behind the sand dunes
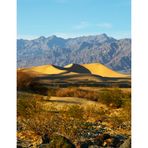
column 115, row 54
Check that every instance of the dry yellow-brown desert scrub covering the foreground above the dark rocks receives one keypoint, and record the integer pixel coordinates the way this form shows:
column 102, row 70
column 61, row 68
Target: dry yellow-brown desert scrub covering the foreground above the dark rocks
column 110, row 114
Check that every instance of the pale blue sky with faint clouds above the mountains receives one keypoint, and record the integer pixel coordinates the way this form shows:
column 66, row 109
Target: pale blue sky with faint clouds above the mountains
column 71, row 18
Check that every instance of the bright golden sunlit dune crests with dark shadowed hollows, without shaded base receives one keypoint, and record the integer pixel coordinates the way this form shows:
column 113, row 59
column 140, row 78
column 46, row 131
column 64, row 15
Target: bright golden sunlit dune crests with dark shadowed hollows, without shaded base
column 93, row 68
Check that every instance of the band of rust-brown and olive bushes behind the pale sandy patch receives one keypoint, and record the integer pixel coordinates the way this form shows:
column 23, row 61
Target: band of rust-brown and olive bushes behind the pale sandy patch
column 113, row 98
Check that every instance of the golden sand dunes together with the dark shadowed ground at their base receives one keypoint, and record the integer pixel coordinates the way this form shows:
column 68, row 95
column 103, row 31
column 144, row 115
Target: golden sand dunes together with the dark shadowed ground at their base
column 94, row 74
